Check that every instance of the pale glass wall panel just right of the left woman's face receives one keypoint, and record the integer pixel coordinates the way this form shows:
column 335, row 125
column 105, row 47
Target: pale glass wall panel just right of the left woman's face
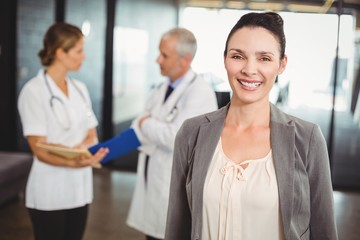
column 91, row 13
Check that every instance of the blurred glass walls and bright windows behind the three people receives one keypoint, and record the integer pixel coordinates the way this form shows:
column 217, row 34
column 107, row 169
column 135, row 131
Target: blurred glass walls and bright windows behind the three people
column 321, row 83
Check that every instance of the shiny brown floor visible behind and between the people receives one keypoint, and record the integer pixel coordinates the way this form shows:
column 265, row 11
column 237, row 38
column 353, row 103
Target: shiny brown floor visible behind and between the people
column 113, row 191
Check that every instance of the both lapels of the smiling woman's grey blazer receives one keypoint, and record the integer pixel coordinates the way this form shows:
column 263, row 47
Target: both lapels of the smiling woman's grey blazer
column 282, row 137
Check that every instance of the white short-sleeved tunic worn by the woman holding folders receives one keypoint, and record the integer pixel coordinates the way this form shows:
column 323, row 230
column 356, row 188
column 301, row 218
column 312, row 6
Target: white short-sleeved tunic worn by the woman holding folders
column 52, row 187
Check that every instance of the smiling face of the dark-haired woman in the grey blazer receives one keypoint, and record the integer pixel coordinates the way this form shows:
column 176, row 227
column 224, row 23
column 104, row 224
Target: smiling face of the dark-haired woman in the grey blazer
column 252, row 64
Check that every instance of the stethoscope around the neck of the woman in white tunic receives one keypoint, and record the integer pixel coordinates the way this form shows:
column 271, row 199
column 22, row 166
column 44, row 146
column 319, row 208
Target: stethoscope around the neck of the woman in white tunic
column 66, row 123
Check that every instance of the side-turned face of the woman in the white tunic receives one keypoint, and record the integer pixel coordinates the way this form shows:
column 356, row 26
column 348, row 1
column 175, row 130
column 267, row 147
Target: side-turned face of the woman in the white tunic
column 73, row 58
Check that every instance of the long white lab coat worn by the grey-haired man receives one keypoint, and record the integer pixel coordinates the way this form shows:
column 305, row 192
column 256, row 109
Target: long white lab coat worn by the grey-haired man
column 192, row 97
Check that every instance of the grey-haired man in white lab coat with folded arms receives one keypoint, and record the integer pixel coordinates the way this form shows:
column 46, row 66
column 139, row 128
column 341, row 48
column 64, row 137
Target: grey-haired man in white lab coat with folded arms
column 157, row 128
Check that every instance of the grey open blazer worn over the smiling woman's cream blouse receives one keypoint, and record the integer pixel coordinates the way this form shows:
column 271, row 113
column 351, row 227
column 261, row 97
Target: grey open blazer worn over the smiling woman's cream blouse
column 301, row 165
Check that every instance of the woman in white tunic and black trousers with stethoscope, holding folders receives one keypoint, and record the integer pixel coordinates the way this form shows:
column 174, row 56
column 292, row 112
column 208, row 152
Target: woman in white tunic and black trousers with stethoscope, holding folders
column 56, row 109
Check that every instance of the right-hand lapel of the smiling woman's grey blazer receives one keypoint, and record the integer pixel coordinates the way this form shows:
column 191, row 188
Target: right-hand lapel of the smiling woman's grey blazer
column 283, row 148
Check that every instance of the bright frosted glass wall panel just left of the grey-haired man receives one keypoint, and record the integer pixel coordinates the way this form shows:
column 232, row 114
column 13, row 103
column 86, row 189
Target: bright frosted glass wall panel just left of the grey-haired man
column 138, row 29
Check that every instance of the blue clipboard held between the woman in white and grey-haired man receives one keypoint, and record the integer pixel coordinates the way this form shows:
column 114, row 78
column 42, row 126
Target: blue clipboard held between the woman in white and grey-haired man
column 119, row 145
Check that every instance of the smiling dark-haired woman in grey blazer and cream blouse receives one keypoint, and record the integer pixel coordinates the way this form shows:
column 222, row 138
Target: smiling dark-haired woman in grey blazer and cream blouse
column 250, row 166
